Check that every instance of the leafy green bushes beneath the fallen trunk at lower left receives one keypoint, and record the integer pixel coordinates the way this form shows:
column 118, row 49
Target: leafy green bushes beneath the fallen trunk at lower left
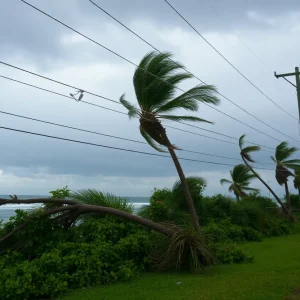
column 95, row 252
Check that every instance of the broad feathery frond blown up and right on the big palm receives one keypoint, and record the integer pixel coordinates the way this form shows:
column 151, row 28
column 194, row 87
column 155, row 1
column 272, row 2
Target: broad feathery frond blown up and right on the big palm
column 189, row 100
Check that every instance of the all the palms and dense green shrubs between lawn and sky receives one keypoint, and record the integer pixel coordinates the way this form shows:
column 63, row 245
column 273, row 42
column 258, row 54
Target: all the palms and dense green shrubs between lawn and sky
column 77, row 239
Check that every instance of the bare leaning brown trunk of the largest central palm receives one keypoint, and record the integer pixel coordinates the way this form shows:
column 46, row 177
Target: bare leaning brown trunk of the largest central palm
column 186, row 190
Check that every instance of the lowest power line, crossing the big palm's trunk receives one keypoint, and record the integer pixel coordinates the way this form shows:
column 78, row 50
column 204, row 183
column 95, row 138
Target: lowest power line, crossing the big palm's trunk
column 115, row 148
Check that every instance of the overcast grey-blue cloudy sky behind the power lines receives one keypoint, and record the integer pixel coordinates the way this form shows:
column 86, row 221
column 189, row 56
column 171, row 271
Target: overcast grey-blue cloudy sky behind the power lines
column 30, row 40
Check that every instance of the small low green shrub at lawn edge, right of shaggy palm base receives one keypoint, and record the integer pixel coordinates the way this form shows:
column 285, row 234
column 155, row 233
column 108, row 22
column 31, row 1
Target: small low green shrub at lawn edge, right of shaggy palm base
column 229, row 253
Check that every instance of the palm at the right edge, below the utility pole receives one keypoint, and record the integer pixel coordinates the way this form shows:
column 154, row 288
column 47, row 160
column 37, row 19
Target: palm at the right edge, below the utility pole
column 282, row 154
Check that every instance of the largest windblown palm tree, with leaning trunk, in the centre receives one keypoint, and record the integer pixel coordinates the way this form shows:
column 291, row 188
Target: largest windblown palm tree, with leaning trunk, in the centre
column 155, row 82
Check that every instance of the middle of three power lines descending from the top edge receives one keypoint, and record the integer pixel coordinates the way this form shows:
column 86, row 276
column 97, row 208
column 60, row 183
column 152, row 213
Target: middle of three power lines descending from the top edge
column 153, row 47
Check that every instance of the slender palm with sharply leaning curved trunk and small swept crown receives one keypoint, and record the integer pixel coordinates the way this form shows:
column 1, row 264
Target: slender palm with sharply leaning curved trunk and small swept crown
column 246, row 156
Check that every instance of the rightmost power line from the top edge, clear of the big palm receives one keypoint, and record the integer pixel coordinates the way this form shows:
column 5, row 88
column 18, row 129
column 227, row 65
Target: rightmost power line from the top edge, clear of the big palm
column 246, row 78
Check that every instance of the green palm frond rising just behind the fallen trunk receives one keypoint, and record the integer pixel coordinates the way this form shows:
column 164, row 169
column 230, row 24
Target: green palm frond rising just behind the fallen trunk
column 95, row 197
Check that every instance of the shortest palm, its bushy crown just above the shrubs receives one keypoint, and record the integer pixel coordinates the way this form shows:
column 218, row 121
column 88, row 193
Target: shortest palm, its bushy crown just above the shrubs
column 240, row 180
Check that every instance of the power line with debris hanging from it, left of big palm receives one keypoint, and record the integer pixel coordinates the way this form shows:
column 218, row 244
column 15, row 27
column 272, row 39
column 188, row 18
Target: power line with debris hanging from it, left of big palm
column 103, row 107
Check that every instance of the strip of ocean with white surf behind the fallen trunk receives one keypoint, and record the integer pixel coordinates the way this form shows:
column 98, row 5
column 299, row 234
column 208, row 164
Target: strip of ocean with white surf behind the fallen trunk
column 8, row 210
